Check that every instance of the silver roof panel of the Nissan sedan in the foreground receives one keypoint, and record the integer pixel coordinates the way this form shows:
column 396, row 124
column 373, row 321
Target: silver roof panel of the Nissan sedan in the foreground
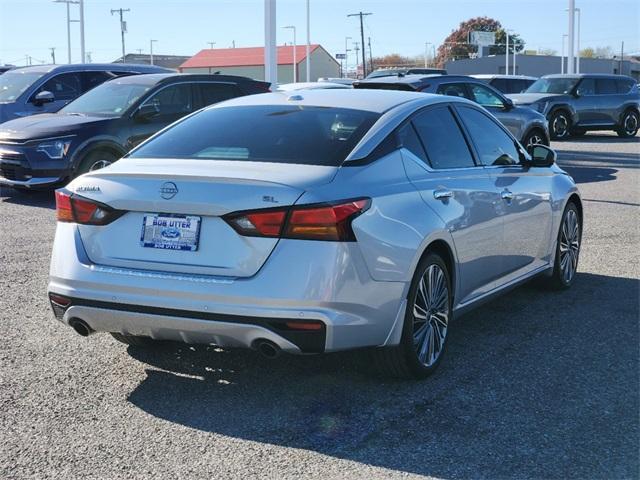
column 377, row 101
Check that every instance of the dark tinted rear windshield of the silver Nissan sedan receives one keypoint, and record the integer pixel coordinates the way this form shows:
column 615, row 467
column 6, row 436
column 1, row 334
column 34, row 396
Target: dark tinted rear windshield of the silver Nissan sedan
column 278, row 134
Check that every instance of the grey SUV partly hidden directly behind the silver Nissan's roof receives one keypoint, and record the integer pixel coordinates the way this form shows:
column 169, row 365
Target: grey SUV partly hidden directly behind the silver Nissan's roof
column 528, row 126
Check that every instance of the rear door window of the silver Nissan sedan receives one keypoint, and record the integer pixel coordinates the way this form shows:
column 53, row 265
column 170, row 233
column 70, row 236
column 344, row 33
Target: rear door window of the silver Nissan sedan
column 442, row 138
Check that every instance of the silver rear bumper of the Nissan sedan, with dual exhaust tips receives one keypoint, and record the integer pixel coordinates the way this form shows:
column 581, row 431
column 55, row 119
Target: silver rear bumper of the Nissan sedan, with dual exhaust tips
column 301, row 281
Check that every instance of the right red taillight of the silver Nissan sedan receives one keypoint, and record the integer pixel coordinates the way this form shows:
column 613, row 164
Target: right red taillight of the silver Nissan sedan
column 328, row 221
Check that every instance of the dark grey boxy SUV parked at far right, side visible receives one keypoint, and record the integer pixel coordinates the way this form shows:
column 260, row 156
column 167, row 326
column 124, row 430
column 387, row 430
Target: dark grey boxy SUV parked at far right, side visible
column 574, row 104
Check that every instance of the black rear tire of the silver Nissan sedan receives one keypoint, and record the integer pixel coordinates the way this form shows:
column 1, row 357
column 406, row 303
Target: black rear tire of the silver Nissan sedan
column 402, row 361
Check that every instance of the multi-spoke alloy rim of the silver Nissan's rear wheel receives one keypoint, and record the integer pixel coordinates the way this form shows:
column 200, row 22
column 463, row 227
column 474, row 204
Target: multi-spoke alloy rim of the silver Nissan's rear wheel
column 431, row 315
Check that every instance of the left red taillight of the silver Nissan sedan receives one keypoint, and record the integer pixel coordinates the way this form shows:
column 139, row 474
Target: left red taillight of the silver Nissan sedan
column 76, row 209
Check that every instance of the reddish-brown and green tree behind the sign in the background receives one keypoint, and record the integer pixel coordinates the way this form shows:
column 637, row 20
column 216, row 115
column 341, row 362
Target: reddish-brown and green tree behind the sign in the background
column 456, row 44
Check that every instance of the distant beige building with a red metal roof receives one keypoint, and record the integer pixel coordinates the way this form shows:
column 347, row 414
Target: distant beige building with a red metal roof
column 249, row 62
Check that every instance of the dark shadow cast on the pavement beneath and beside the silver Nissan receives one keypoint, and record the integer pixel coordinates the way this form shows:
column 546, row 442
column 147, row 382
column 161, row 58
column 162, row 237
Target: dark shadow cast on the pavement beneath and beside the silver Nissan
column 535, row 384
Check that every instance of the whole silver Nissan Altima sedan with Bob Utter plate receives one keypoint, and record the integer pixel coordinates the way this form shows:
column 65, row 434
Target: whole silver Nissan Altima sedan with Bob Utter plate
column 313, row 222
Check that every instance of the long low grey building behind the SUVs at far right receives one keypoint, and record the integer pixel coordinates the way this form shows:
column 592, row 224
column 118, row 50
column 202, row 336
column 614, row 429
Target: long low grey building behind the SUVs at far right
column 539, row 65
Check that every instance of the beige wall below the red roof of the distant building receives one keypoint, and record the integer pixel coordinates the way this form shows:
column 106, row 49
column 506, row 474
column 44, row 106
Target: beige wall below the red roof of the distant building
column 321, row 66
